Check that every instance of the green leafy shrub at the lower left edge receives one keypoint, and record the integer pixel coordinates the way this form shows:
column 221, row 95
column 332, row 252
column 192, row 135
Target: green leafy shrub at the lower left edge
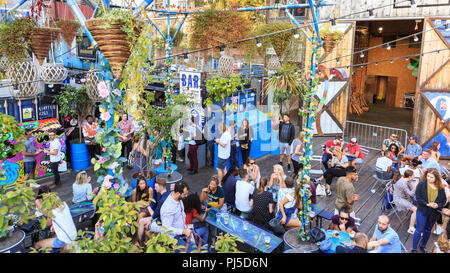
column 17, row 201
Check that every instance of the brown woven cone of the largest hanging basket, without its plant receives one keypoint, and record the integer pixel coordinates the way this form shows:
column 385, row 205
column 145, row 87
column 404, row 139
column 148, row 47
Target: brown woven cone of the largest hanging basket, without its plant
column 112, row 41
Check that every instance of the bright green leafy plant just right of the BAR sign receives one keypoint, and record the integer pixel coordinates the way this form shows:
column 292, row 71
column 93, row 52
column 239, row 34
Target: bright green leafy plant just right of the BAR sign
column 221, row 88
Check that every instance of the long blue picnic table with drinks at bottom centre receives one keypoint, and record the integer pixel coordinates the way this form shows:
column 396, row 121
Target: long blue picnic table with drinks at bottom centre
column 253, row 236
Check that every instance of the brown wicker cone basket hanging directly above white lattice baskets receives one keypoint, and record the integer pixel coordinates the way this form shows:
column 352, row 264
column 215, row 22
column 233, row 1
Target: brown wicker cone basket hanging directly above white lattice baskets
column 41, row 40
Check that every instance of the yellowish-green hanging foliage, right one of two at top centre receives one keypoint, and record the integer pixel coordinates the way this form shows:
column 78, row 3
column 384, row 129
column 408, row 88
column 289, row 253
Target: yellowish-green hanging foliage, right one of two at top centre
column 279, row 42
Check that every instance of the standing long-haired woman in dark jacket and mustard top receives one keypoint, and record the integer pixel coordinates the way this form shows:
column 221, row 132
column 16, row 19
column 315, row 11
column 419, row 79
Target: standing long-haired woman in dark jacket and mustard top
column 430, row 196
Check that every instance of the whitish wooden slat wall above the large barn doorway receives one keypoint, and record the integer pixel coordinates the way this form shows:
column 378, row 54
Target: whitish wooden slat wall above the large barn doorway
column 346, row 7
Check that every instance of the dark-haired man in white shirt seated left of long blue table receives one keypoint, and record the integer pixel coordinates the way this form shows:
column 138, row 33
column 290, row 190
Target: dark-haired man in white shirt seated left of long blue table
column 172, row 211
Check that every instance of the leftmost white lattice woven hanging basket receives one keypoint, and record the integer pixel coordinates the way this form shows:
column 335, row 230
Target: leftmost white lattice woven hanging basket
column 25, row 73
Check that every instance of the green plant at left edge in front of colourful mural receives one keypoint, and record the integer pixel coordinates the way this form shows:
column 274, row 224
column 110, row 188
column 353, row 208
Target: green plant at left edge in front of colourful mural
column 10, row 137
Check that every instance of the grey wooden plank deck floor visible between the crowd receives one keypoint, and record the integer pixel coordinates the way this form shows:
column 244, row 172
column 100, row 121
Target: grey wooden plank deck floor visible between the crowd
column 368, row 208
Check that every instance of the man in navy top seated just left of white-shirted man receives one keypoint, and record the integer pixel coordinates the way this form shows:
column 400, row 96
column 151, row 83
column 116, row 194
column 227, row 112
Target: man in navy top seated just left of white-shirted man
column 145, row 223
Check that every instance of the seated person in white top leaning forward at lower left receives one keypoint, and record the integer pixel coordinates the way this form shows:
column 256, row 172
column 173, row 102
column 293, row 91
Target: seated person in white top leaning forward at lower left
column 63, row 226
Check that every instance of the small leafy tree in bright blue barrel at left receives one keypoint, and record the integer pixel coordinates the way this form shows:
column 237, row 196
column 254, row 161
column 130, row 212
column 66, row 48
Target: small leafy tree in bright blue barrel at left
column 74, row 102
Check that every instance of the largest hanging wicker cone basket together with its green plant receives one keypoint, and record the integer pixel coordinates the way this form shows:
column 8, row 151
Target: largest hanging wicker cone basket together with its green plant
column 115, row 32
